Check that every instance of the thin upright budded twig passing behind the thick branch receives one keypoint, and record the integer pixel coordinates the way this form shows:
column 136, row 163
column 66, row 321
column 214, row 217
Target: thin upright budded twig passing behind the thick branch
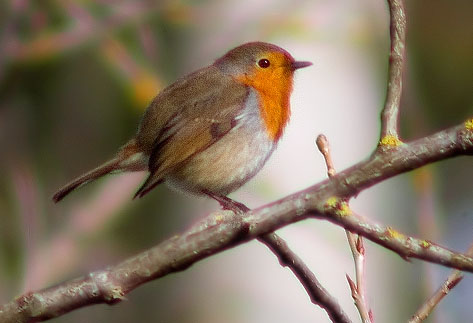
column 356, row 245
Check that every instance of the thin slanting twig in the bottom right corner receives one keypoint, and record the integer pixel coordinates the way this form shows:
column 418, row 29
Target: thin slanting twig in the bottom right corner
column 429, row 305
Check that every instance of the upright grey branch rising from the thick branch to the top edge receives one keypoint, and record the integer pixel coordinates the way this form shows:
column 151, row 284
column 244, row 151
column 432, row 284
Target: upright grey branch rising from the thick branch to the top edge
column 390, row 114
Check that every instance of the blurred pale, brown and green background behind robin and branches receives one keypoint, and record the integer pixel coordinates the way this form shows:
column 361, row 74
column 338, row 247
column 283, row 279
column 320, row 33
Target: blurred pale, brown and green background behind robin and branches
column 75, row 77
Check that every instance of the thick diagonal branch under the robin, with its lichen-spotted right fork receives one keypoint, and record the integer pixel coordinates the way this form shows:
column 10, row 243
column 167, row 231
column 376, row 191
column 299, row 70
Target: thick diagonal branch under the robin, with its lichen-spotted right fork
column 222, row 230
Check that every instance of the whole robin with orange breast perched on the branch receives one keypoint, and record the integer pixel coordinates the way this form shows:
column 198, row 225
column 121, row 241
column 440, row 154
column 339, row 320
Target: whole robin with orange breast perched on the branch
column 213, row 130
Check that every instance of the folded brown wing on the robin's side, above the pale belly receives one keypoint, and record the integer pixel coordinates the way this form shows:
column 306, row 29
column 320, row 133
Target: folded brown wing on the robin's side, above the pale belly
column 208, row 107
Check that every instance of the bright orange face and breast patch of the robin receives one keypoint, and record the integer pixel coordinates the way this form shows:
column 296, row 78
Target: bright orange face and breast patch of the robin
column 274, row 88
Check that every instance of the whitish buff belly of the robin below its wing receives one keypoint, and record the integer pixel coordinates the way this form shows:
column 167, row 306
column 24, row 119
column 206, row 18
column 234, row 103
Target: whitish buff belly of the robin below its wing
column 230, row 162
